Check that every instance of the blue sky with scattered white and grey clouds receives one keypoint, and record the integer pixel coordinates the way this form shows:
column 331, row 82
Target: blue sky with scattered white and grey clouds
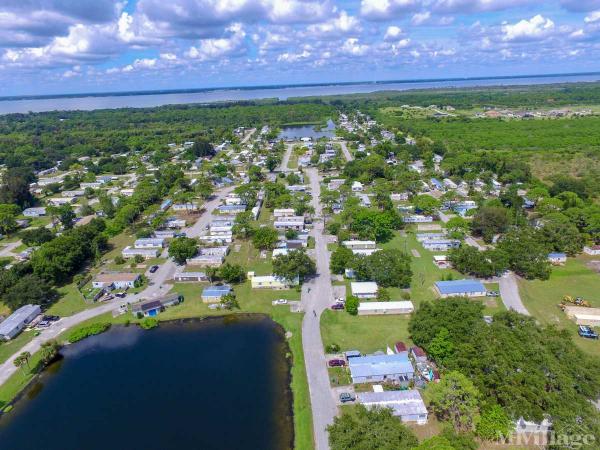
column 66, row 46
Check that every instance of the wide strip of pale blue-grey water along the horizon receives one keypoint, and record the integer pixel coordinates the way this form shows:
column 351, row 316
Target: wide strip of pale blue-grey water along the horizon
column 150, row 99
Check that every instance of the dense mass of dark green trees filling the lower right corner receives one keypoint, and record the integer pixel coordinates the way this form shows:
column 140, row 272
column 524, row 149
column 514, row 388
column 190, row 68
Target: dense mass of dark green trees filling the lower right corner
column 526, row 369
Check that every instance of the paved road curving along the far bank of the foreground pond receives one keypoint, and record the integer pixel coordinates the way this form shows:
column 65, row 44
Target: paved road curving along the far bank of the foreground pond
column 156, row 288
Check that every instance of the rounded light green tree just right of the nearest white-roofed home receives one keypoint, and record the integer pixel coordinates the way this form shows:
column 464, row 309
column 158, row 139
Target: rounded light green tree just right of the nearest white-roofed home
column 455, row 399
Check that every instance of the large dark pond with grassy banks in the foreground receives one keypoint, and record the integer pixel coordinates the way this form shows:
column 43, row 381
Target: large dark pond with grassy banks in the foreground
column 217, row 384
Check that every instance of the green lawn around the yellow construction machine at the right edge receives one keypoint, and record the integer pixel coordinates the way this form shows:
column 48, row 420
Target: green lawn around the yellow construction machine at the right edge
column 574, row 278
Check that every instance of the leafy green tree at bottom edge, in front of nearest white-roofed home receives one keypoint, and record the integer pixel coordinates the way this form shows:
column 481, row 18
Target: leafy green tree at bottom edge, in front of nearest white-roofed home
column 366, row 429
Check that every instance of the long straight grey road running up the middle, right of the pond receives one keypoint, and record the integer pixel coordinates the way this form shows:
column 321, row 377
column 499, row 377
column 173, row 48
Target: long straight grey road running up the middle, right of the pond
column 319, row 298
